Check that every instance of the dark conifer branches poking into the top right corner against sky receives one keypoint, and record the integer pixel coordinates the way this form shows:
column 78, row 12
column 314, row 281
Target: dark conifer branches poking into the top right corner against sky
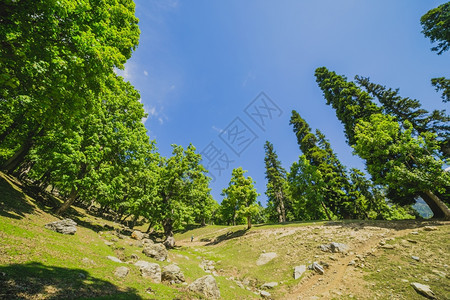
column 436, row 24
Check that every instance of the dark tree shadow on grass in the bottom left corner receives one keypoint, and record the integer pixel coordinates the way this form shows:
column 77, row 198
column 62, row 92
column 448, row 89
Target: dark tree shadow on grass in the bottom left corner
column 34, row 280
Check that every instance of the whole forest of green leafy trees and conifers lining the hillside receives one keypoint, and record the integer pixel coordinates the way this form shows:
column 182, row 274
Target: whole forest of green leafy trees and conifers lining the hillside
column 71, row 129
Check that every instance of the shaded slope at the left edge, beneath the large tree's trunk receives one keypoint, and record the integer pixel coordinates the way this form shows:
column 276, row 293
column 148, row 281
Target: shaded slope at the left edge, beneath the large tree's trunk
column 13, row 203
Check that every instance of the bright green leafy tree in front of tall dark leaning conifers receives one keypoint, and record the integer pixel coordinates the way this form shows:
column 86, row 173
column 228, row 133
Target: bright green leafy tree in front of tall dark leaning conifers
column 398, row 159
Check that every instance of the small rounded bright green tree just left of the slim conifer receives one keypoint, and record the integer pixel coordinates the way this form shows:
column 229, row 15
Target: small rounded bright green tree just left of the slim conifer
column 240, row 197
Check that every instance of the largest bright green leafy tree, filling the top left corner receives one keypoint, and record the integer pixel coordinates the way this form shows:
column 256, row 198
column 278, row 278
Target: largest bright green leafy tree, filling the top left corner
column 55, row 58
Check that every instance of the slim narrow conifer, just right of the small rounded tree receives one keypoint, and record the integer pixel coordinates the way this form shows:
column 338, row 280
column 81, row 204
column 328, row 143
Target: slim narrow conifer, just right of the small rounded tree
column 276, row 190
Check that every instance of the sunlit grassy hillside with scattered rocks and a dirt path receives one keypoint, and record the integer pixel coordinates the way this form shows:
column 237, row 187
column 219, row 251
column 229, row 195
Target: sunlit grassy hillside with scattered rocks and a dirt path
column 36, row 263
